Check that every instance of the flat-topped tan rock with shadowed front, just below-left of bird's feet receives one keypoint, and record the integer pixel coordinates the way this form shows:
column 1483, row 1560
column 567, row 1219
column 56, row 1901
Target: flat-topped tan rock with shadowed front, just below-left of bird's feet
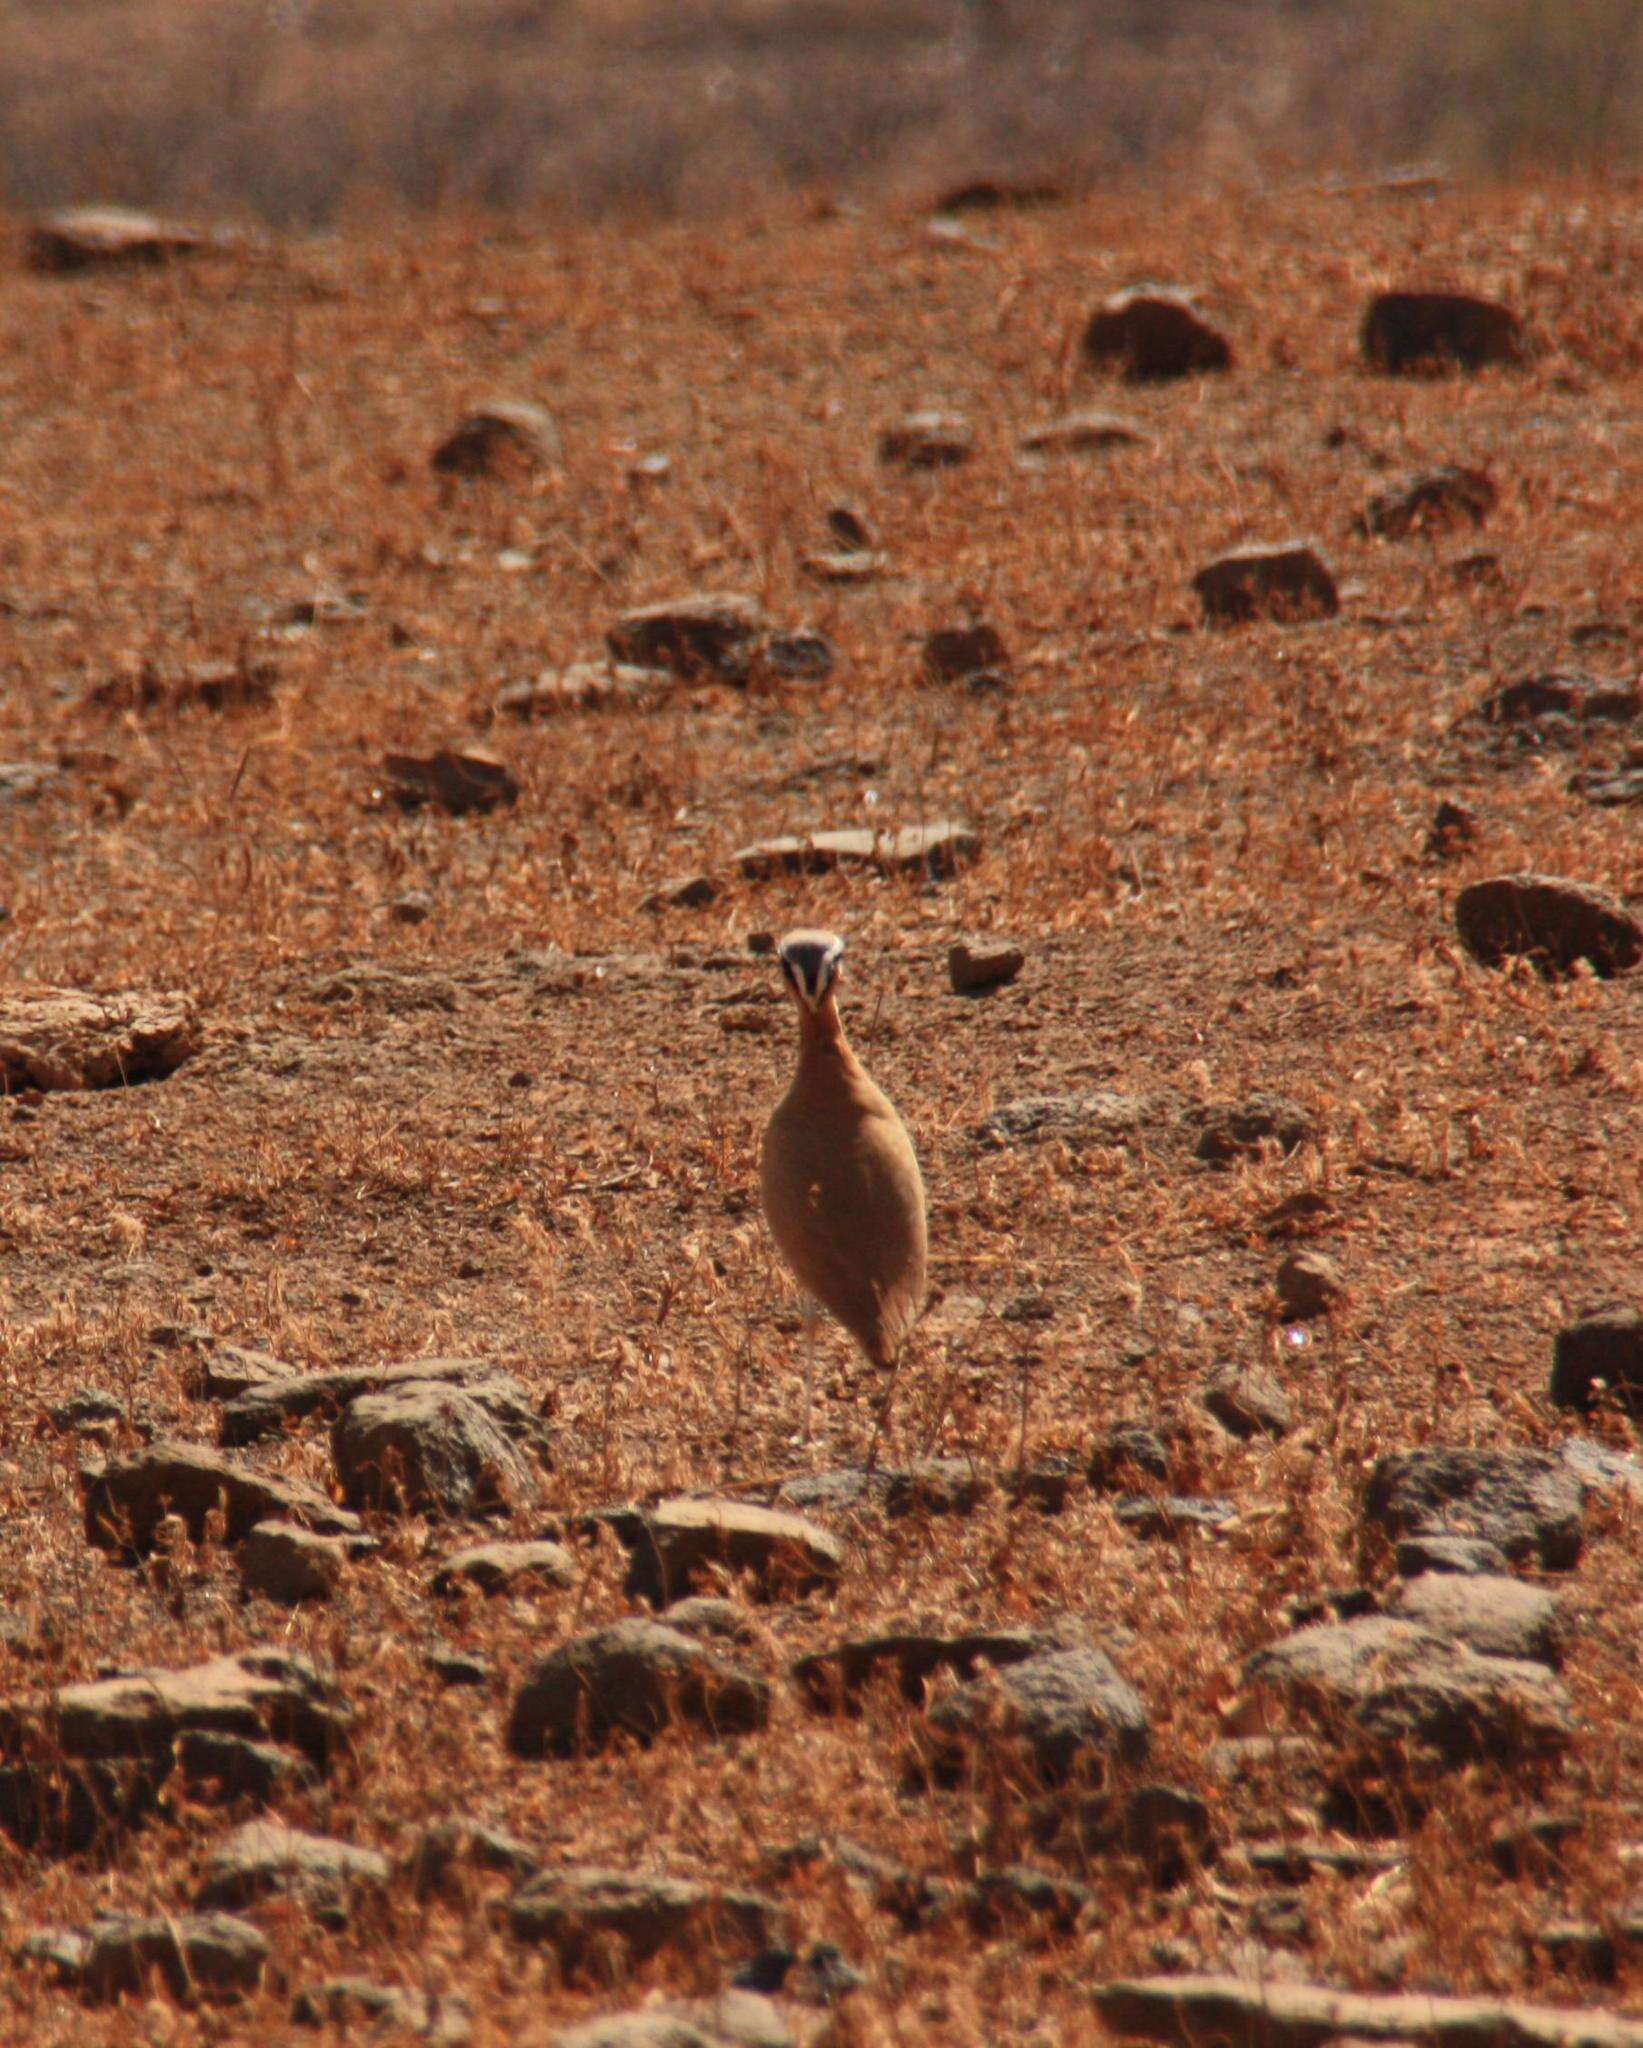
column 685, row 1541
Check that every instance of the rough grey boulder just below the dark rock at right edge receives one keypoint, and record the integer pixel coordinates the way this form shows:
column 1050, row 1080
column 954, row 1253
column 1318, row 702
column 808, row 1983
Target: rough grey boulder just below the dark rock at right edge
column 1527, row 1502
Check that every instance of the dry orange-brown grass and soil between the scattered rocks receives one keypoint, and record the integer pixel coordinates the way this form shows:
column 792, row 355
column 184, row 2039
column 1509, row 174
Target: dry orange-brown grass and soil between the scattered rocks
column 1212, row 845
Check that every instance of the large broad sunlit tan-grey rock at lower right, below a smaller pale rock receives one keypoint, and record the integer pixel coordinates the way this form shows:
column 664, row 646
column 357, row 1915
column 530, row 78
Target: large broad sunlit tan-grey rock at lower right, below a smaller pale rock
column 1413, row 1695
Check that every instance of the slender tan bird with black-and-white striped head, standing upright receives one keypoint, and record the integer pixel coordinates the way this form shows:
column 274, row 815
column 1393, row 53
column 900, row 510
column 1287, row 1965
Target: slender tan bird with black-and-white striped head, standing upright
column 839, row 1175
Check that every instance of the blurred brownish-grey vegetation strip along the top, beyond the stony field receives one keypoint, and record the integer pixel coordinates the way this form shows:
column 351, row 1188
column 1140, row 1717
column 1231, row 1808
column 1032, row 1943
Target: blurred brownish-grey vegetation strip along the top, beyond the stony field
column 296, row 110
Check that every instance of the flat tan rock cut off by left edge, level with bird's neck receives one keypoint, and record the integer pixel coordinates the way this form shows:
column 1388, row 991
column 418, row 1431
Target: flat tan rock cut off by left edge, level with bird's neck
column 58, row 1039
